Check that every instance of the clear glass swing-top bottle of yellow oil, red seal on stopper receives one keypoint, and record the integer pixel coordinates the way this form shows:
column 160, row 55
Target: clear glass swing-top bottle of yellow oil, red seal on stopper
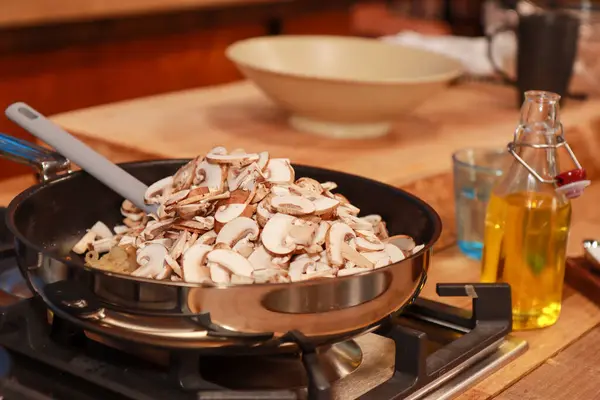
column 529, row 214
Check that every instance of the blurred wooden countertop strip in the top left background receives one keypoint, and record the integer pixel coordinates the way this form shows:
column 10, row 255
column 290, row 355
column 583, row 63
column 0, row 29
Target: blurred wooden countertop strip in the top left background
column 32, row 12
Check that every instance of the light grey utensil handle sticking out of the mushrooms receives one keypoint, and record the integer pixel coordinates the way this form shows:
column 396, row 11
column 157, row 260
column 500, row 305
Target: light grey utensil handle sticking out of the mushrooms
column 93, row 163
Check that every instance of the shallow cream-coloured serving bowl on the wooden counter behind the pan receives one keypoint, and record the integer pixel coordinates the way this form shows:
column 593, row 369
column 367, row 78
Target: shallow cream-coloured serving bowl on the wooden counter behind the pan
column 342, row 86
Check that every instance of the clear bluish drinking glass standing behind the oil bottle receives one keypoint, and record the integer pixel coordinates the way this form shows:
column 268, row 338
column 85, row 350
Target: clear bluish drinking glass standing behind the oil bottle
column 476, row 171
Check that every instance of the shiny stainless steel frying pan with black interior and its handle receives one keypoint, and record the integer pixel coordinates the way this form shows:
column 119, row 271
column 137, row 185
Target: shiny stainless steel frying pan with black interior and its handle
column 49, row 218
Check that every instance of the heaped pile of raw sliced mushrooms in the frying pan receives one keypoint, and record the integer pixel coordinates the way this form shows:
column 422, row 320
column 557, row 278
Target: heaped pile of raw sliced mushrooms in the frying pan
column 242, row 218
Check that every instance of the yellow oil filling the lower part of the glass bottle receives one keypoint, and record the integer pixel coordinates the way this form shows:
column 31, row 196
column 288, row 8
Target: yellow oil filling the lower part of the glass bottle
column 524, row 246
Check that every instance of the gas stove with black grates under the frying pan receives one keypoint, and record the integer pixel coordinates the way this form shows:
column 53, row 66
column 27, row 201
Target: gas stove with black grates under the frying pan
column 431, row 351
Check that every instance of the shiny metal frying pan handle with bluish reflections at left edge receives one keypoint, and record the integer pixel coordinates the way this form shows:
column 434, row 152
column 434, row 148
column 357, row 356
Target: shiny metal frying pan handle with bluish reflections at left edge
column 46, row 163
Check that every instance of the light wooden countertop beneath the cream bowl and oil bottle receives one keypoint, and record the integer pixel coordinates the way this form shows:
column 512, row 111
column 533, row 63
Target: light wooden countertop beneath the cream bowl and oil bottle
column 561, row 362
